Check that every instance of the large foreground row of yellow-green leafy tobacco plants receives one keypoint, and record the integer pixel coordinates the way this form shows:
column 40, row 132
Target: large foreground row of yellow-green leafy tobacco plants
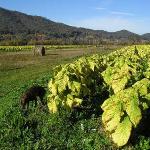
column 116, row 85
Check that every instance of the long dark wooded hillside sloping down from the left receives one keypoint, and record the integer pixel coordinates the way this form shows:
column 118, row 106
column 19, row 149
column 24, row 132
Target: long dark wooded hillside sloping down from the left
column 17, row 28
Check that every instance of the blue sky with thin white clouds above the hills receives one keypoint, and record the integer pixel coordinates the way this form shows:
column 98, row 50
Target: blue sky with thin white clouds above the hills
column 109, row 15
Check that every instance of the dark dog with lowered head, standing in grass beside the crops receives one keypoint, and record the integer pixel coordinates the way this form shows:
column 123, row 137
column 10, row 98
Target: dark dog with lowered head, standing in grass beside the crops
column 31, row 95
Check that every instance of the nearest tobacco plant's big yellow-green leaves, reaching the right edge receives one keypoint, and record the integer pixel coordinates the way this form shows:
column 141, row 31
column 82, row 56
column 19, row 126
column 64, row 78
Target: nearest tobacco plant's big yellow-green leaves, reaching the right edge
column 123, row 110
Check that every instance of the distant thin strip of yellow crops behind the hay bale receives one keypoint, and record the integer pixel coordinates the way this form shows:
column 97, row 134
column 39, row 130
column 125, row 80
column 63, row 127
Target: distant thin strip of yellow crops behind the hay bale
column 29, row 48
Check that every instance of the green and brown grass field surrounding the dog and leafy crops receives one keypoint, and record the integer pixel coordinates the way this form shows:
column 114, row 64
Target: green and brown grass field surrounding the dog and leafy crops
column 37, row 128
